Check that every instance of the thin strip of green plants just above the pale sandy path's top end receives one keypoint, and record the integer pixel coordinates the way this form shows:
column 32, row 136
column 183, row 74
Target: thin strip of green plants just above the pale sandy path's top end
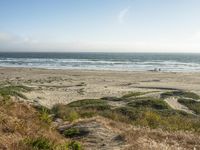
column 181, row 94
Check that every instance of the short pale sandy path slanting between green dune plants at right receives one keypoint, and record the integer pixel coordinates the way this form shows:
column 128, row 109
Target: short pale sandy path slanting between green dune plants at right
column 173, row 102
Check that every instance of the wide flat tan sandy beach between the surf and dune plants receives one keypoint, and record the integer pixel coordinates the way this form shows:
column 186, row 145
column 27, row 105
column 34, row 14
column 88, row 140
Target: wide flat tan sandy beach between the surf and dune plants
column 64, row 86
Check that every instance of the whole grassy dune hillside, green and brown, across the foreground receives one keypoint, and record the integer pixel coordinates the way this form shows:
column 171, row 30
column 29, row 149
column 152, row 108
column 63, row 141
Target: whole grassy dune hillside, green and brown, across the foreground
column 27, row 127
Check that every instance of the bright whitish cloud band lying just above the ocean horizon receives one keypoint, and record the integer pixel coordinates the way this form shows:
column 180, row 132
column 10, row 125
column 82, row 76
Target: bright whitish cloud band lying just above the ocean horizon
column 12, row 42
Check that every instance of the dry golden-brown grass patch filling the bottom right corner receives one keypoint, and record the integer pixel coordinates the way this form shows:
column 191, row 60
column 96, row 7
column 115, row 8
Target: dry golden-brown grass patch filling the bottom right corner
column 145, row 139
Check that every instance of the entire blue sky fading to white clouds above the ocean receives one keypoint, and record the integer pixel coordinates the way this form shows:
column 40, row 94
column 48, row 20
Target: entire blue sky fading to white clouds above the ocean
column 100, row 25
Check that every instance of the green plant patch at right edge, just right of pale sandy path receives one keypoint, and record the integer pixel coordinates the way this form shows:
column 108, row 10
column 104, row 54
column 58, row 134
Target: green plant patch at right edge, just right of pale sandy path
column 191, row 104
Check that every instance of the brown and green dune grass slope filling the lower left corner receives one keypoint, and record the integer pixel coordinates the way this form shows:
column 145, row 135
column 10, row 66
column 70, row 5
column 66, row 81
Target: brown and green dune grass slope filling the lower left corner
column 23, row 126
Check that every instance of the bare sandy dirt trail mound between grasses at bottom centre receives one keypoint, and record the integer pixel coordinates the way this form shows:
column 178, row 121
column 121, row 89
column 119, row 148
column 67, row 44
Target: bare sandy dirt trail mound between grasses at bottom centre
column 99, row 137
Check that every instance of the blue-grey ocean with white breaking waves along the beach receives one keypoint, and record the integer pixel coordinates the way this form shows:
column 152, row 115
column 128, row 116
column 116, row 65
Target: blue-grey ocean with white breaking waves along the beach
column 103, row 61
